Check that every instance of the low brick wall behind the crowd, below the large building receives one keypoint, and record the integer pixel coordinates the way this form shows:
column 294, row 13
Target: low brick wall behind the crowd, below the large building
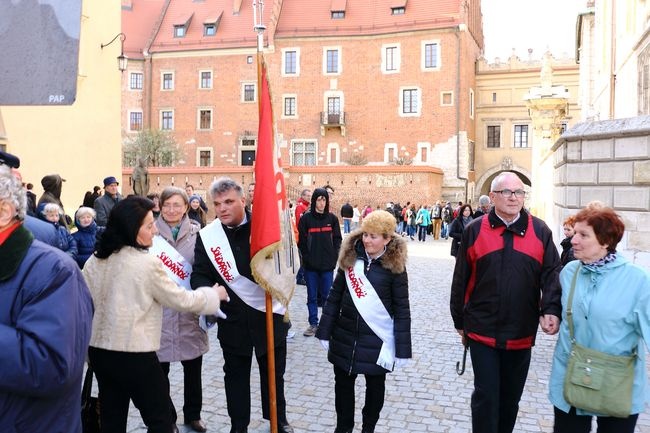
column 363, row 185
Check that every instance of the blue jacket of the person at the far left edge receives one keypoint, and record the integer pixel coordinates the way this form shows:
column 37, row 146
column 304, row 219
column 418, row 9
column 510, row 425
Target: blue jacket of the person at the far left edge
column 45, row 325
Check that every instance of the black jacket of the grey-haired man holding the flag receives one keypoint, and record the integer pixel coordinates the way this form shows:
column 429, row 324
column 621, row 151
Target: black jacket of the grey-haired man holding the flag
column 244, row 327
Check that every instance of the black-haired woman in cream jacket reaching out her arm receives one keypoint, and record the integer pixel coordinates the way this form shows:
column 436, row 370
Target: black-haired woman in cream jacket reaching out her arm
column 129, row 287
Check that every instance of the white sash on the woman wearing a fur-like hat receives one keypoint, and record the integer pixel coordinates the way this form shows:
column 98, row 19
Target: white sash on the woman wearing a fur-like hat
column 373, row 311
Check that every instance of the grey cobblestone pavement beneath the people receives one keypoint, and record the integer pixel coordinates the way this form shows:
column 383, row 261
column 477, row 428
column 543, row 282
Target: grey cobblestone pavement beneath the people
column 427, row 396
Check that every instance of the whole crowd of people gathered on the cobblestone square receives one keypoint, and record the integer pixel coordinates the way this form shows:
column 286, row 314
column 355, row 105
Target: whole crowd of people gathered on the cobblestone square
column 140, row 281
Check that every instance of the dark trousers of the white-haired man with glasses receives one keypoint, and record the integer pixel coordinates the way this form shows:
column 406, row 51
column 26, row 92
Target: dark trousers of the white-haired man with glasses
column 499, row 378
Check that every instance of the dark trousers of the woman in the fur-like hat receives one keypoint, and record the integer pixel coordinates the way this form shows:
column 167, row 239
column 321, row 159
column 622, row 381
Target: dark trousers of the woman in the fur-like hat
column 344, row 399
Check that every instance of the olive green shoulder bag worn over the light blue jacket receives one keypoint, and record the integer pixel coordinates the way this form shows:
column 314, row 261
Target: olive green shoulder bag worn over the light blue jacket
column 595, row 381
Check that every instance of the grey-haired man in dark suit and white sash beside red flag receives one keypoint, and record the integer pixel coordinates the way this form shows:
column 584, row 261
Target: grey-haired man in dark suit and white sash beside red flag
column 244, row 327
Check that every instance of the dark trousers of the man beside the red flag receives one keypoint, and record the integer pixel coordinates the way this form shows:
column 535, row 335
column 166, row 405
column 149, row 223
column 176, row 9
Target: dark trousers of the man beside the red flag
column 237, row 369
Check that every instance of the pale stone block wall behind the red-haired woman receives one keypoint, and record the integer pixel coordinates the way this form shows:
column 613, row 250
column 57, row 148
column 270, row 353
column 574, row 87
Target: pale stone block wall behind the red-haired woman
column 607, row 161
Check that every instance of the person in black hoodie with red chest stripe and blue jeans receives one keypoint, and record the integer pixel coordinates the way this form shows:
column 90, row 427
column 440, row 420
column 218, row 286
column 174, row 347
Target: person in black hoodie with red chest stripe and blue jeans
column 319, row 242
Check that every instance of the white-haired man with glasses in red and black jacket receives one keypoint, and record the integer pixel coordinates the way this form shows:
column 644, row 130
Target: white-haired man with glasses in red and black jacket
column 505, row 283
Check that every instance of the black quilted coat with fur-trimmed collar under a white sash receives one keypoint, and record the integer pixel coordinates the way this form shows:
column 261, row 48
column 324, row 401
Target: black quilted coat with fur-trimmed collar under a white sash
column 354, row 347
